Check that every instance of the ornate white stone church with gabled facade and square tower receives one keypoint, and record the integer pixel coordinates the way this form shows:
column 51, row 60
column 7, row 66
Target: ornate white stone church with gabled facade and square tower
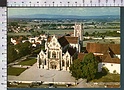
column 59, row 51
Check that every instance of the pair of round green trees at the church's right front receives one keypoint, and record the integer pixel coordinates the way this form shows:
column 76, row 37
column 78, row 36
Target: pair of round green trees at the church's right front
column 87, row 68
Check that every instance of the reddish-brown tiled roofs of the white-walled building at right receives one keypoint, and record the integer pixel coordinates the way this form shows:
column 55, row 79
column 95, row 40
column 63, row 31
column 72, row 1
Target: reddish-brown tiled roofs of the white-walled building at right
column 108, row 51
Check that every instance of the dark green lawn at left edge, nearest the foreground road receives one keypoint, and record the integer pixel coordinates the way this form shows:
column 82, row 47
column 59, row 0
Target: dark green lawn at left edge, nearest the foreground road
column 15, row 71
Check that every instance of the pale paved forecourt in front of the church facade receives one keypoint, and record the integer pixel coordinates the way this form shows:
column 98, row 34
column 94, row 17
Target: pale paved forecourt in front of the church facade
column 35, row 74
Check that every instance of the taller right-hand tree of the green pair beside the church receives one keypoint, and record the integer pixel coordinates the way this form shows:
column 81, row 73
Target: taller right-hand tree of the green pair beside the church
column 90, row 66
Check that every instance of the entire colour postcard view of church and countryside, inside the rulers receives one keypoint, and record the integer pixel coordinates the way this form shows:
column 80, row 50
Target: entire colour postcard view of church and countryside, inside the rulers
column 63, row 47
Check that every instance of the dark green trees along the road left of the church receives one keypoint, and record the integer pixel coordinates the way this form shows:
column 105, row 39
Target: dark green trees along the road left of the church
column 17, row 51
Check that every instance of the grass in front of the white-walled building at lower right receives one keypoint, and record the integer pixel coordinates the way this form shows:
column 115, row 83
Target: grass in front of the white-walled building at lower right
column 108, row 78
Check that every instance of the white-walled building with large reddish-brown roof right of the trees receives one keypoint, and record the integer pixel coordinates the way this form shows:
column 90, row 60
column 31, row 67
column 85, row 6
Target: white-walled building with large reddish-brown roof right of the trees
column 109, row 56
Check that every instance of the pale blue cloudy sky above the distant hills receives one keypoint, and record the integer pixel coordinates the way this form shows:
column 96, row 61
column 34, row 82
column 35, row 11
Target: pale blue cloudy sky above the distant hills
column 90, row 11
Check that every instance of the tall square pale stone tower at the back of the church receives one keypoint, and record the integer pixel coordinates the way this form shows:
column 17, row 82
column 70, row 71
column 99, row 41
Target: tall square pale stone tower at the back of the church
column 78, row 31
